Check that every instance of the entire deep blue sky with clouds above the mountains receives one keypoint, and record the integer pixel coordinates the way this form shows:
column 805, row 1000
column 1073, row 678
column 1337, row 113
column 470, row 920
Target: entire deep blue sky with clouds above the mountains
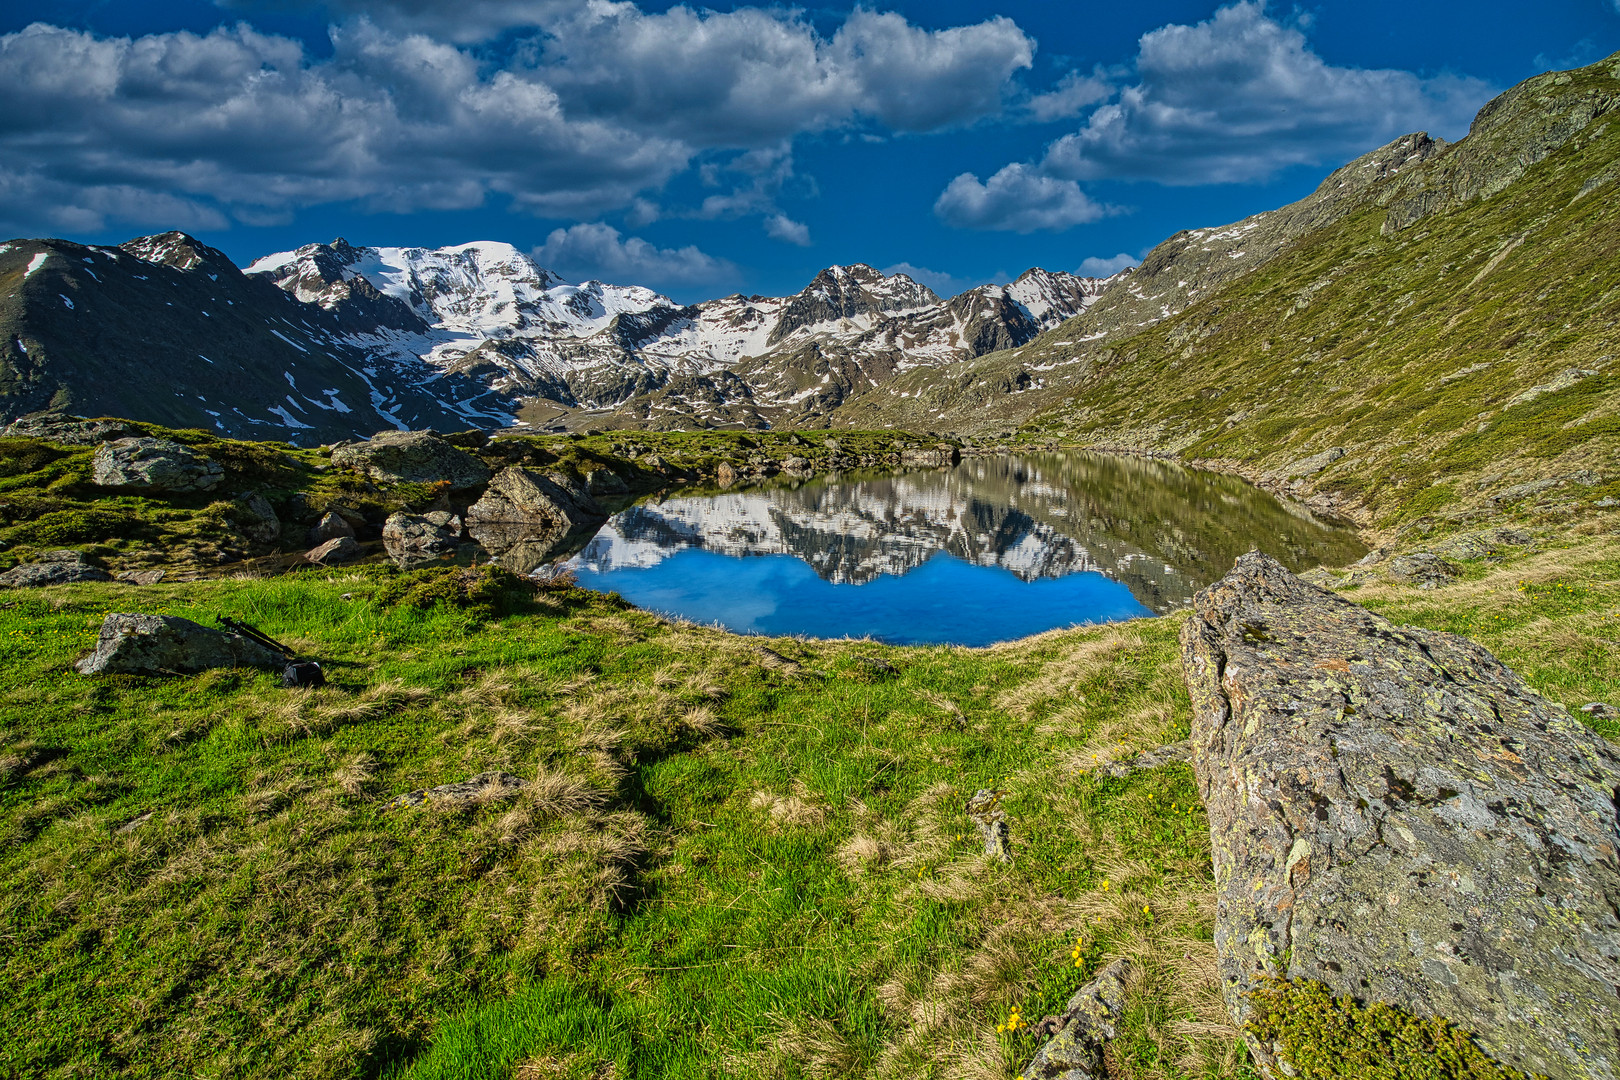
column 736, row 148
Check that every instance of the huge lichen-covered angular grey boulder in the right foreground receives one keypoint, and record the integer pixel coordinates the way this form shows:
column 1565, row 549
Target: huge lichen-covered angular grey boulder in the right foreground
column 1399, row 817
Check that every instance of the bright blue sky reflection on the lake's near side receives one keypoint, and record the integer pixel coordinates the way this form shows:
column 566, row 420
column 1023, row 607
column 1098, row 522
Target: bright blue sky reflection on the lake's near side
column 942, row 602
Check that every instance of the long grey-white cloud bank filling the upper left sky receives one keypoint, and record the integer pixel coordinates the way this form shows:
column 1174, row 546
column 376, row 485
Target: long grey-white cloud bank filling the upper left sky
column 578, row 111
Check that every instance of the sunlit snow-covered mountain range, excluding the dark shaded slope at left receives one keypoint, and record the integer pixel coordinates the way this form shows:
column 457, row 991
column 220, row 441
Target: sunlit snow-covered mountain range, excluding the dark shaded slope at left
column 626, row 355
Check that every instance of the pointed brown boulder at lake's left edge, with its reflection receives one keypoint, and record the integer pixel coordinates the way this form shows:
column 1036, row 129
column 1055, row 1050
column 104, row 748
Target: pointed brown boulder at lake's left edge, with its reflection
column 529, row 517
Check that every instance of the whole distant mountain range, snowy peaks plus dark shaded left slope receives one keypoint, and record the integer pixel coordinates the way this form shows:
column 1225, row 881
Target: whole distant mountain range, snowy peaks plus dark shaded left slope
column 335, row 341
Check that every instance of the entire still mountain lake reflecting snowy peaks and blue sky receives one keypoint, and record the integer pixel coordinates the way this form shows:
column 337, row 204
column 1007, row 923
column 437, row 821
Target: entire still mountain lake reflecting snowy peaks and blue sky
column 987, row 551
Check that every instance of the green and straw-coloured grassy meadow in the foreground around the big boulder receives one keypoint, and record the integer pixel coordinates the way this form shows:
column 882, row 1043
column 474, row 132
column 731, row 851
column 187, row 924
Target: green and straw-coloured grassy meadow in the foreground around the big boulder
column 735, row 857
